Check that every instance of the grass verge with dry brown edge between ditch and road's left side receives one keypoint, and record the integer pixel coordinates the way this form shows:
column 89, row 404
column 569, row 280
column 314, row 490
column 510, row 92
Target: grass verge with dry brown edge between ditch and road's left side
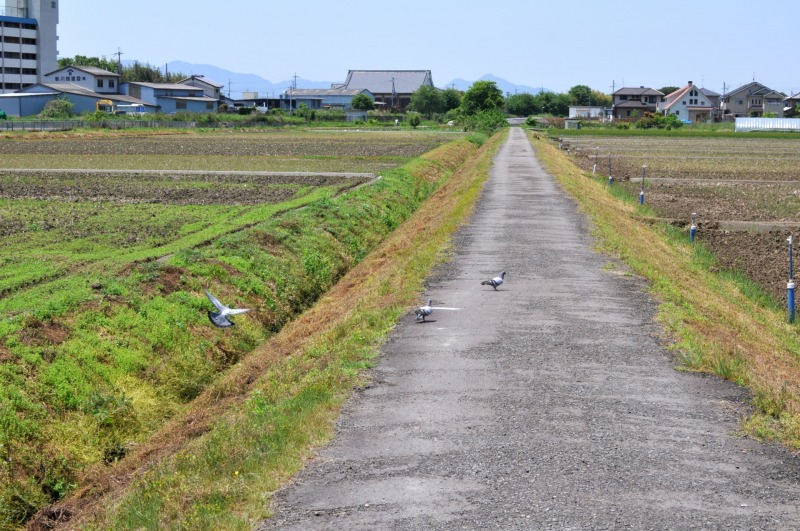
column 268, row 426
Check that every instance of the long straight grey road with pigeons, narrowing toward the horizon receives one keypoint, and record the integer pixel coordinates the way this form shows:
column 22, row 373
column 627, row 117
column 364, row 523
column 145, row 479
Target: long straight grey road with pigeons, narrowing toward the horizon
column 548, row 404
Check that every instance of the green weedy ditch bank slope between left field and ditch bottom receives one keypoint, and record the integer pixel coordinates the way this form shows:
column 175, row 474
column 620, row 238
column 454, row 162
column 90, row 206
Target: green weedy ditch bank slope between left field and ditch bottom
column 92, row 367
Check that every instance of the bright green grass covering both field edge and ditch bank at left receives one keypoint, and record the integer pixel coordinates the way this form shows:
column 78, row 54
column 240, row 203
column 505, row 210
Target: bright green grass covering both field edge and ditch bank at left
column 102, row 345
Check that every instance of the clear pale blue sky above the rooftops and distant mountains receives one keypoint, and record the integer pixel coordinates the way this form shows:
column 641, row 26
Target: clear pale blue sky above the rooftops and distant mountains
column 554, row 44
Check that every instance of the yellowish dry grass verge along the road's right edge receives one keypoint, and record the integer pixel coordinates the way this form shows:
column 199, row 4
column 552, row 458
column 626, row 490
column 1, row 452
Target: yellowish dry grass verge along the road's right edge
column 721, row 322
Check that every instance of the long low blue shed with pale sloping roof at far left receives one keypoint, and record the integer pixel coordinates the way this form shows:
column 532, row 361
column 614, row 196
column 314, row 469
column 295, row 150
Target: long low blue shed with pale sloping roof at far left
column 30, row 101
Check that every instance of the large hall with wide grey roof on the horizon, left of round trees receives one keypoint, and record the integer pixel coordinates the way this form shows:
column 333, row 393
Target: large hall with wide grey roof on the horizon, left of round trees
column 390, row 88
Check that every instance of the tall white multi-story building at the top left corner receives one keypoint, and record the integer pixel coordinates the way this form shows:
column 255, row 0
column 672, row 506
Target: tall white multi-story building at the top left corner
column 28, row 42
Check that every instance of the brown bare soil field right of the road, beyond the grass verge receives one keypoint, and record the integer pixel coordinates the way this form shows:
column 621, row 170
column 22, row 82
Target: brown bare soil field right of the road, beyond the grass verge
column 745, row 192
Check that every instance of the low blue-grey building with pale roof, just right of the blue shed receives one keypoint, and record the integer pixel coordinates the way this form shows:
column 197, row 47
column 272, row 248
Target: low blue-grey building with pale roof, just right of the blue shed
column 170, row 98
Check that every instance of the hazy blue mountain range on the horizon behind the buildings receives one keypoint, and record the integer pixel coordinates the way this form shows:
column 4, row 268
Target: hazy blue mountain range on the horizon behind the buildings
column 237, row 83
